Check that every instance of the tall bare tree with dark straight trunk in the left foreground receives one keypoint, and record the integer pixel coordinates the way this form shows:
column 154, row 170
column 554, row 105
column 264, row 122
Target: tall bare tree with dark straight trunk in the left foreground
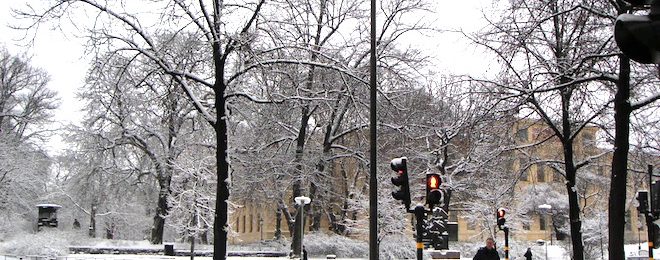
column 121, row 27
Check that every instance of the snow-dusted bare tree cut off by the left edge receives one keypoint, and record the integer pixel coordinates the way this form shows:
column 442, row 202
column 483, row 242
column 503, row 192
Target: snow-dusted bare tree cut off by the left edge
column 26, row 106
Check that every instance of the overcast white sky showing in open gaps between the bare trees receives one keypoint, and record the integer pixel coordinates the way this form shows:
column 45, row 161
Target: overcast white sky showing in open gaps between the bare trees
column 62, row 56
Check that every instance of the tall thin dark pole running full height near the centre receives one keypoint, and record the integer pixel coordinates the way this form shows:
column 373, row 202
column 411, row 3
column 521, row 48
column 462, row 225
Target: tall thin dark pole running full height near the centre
column 373, row 184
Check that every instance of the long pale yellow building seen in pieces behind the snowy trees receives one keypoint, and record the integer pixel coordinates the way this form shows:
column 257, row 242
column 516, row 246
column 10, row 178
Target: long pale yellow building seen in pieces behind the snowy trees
column 251, row 222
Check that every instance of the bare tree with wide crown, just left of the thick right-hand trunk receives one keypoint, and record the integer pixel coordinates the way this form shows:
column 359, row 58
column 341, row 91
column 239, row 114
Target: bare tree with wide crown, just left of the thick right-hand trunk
column 555, row 56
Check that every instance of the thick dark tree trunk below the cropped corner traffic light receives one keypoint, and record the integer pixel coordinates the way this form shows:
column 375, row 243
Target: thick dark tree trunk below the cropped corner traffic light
column 617, row 201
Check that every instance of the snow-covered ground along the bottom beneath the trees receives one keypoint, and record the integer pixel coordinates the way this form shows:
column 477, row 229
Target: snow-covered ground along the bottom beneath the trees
column 57, row 243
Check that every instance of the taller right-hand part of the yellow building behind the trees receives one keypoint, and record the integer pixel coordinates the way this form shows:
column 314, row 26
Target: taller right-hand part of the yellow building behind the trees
column 533, row 164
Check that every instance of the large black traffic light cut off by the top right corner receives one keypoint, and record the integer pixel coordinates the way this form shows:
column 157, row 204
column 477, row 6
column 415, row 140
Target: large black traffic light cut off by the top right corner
column 638, row 36
